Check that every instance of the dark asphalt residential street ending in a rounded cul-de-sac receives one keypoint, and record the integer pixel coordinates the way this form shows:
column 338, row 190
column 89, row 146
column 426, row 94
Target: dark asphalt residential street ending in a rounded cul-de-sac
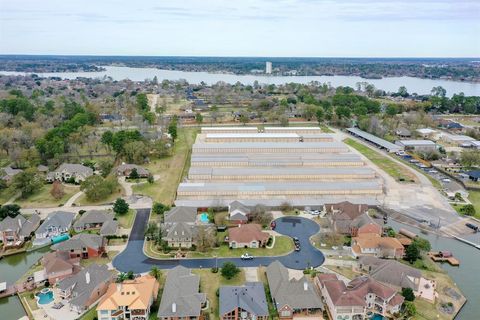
column 133, row 258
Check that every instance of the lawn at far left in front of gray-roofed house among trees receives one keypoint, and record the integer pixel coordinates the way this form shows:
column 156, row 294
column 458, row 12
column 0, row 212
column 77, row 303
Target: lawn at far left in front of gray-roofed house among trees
column 43, row 198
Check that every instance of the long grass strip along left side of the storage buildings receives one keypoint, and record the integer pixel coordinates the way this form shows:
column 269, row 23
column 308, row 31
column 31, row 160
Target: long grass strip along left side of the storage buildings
column 170, row 169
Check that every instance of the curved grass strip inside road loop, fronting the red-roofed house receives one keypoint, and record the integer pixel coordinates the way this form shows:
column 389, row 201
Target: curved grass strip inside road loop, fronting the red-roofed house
column 283, row 245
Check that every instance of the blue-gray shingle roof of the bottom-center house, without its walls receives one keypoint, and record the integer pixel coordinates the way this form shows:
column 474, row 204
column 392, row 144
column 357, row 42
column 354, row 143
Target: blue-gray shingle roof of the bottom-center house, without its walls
column 250, row 297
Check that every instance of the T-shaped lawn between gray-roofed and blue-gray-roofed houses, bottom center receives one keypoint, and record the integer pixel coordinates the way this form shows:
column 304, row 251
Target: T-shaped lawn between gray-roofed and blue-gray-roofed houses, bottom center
column 210, row 282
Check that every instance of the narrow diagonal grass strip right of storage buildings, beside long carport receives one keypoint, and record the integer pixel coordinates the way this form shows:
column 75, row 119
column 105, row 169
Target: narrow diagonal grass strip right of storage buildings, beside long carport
column 393, row 169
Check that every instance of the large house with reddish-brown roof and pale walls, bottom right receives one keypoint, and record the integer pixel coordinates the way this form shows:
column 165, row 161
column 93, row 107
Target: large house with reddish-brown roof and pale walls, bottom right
column 362, row 294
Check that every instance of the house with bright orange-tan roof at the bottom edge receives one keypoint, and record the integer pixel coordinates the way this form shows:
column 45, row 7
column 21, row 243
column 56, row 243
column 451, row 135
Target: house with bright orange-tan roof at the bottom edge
column 131, row 299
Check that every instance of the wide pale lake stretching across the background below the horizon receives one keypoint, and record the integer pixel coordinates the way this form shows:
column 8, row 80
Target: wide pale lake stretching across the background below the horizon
column 390, row 84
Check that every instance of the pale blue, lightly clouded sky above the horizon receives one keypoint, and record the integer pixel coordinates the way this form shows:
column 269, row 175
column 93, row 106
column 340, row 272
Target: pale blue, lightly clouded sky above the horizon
column 263, row 28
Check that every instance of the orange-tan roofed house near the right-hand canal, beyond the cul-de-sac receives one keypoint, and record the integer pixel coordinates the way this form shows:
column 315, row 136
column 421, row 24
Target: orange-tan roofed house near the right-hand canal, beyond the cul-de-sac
column 377, row 246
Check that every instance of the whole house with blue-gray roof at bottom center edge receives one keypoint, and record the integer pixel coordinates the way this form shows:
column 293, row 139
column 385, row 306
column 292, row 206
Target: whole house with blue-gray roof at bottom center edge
column 247, row 302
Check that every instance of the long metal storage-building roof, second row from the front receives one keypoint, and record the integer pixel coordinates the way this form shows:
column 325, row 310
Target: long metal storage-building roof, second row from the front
column 251, row 171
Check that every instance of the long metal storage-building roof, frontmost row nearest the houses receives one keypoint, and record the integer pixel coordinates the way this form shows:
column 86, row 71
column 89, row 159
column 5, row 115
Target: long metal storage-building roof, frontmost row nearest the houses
column 267, row 186
